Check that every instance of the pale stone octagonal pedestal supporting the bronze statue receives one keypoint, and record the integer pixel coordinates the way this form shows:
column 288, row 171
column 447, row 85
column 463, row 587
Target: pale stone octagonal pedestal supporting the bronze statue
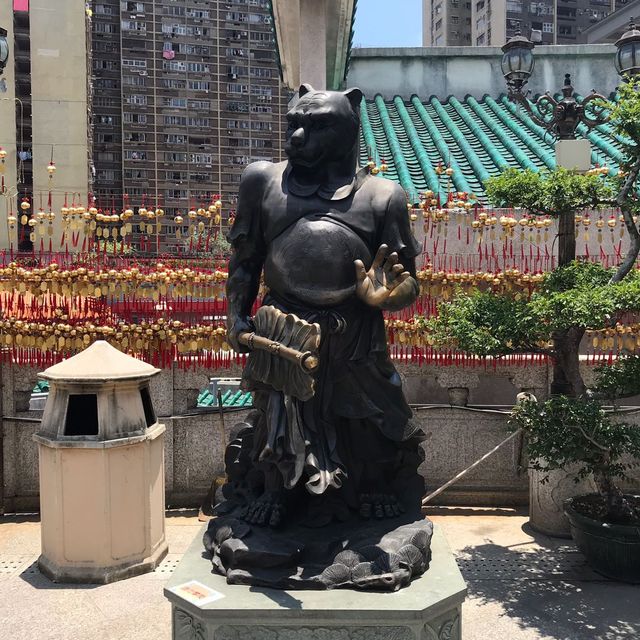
column 205, row 607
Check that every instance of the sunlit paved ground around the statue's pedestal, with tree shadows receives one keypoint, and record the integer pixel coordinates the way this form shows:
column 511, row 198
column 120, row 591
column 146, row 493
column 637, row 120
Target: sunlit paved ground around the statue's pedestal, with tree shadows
column 522, row 586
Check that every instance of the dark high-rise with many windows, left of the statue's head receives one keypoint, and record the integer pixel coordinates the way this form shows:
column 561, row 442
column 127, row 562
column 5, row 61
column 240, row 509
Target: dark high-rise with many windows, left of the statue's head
column 186, row 94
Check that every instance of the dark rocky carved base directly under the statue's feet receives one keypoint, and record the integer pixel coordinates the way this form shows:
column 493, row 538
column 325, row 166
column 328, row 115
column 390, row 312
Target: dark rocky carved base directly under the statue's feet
column 381, row 554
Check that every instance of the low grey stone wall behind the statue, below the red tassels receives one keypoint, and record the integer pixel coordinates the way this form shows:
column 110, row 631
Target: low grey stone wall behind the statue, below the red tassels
column 455, row 437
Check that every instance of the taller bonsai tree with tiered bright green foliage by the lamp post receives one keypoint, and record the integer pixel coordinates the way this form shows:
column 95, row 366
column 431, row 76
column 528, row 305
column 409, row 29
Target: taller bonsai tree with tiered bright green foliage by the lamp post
column 575, row 296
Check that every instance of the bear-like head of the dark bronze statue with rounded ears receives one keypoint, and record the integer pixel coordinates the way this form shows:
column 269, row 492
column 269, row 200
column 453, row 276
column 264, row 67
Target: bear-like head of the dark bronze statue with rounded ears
column 323, row 126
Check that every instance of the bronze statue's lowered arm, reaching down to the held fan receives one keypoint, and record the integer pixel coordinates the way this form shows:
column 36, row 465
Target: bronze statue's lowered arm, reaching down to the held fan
column 245, row 265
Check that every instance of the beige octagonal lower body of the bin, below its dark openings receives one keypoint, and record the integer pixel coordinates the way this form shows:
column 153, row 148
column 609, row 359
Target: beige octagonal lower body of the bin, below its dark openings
column 102, row 507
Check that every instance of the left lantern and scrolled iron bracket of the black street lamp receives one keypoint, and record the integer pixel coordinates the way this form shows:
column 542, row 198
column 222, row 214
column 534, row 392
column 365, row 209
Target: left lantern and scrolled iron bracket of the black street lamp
column 558, row 117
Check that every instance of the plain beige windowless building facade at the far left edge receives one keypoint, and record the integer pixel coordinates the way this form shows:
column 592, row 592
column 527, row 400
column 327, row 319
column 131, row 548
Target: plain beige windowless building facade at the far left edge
column 43, row 114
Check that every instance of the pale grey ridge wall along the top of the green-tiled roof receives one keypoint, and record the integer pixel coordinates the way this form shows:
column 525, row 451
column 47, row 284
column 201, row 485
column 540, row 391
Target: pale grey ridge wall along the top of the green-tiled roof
column 458, row 71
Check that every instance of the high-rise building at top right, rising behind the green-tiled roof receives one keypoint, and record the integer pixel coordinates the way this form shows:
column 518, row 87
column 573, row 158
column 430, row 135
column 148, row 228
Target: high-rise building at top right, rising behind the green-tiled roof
column 492, row 22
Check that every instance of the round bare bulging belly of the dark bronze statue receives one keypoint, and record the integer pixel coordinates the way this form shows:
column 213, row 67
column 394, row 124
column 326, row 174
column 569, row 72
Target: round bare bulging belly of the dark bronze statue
column 312, row 261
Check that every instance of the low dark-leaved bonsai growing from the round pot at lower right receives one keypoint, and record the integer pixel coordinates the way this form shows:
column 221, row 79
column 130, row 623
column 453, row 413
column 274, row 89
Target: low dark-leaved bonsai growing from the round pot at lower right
column 567, row 431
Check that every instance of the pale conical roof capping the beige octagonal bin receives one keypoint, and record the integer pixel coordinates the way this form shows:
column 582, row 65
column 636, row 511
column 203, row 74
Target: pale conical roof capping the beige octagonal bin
column 99, row 362
